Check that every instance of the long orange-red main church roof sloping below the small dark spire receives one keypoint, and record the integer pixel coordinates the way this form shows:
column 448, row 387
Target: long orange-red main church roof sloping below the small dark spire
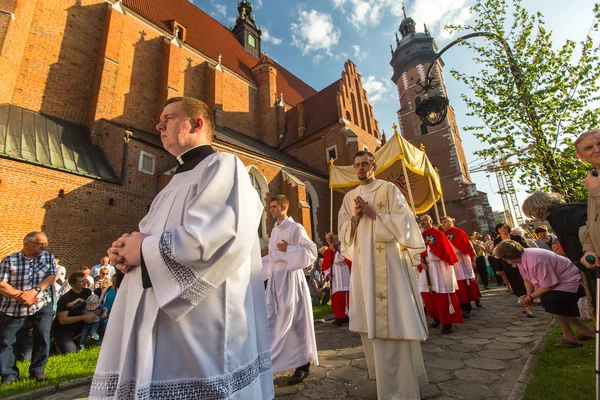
column 210, row 37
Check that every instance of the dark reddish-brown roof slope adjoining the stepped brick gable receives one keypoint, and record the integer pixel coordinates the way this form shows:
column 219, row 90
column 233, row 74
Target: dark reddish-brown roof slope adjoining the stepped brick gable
column 320, row 110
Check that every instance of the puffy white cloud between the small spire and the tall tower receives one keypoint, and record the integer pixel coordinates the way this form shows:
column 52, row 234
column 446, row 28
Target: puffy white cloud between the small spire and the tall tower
column 315, row 32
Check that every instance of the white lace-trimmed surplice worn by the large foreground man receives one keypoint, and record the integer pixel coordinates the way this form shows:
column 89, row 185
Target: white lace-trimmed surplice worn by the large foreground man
column 201, row 331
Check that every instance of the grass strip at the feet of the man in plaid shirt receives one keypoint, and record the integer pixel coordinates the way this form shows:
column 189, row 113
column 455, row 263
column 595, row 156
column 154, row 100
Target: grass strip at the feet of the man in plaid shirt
column 60, row 368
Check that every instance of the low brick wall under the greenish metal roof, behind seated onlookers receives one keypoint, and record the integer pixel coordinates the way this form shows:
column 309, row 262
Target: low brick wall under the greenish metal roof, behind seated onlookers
column 29, row 200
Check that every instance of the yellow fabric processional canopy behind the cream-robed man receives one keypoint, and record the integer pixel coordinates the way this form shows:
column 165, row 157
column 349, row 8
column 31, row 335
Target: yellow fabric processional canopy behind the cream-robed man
column 389, row 159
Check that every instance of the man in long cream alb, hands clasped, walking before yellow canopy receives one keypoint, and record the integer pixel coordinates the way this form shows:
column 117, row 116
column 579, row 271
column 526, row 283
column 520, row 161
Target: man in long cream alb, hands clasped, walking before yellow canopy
column 380, row 235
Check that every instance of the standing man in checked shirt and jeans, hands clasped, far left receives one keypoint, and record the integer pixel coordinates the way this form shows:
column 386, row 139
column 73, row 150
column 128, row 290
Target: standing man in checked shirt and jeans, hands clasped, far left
column 26, row 281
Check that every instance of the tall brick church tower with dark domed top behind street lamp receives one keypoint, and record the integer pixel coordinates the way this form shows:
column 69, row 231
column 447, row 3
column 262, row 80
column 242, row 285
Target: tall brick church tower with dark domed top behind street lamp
column 411, row 58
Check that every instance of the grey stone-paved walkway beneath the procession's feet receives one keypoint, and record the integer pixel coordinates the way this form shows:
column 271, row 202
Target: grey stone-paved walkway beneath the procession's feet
column 482, row 358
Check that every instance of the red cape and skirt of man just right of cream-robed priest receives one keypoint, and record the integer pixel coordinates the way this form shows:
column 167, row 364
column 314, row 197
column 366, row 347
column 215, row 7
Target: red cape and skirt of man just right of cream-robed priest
column 445, row 306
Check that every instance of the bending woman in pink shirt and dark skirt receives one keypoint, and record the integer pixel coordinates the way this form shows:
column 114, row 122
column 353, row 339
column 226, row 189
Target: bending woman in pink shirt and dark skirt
column 555, row 279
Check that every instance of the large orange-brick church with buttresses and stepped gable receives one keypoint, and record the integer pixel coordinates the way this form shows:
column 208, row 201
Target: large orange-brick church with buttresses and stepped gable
column 82, row 83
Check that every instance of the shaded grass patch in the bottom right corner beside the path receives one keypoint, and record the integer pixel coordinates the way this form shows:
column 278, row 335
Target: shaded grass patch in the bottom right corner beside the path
column 563, row 373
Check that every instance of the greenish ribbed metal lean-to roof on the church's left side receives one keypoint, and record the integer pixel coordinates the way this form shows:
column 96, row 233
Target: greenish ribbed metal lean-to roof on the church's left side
column 50, row 142
